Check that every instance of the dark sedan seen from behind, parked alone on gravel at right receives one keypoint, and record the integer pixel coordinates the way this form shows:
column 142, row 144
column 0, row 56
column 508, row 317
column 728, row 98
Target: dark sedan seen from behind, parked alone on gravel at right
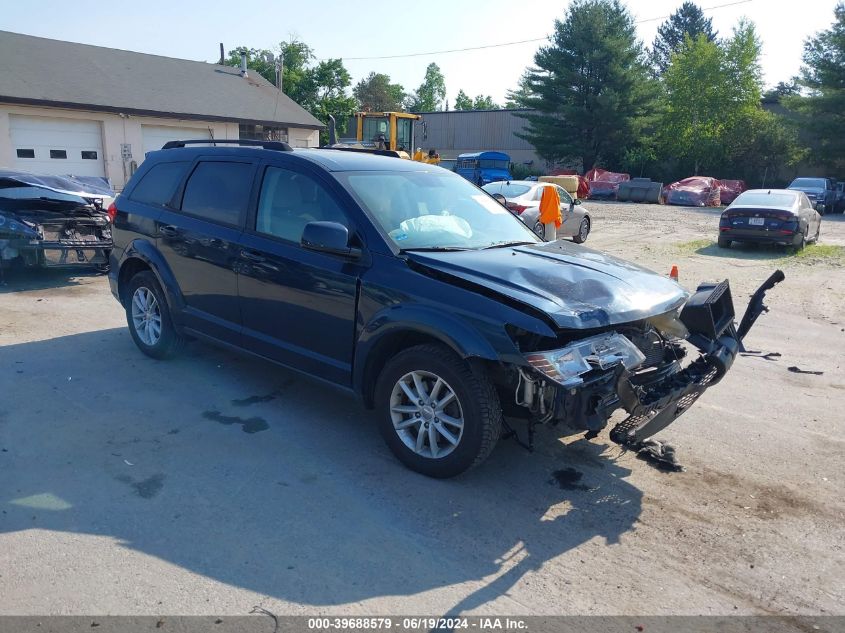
column 770, row 216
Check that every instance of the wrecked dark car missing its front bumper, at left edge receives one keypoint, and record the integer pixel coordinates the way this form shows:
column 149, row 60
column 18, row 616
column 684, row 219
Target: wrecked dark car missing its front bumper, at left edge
column 53, row 221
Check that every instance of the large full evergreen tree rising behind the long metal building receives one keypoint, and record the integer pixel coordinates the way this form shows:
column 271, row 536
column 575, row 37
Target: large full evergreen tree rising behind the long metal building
column 590, row 89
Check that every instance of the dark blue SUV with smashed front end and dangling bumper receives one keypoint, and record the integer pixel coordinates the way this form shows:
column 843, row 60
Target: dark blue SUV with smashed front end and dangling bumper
column 405, row 285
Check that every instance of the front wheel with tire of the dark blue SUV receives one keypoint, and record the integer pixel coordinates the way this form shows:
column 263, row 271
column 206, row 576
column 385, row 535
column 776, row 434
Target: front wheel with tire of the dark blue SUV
column 438, row 415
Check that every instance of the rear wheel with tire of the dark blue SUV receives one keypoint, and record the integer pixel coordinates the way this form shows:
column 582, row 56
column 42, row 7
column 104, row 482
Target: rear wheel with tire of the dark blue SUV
column 148, row 317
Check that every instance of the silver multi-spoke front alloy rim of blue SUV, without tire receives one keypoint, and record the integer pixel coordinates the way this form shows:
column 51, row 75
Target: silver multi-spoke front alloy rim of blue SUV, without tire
column 426, row 414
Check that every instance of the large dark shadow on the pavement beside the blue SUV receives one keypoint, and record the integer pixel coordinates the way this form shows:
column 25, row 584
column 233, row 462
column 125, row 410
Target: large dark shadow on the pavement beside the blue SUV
column 244, row 473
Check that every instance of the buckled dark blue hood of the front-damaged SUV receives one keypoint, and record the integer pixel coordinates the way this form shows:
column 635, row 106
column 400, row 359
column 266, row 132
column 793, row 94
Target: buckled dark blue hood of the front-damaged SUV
column 577, row 287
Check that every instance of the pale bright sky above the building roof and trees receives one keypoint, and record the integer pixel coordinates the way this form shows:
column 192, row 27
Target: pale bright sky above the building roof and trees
column 193, row 29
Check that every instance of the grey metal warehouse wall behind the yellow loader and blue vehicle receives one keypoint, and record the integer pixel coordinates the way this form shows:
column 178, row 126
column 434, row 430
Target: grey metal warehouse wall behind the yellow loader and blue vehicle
column 460, row 131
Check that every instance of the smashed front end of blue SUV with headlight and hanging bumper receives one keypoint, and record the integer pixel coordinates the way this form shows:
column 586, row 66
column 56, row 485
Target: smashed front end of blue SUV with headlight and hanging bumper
column 640, row 367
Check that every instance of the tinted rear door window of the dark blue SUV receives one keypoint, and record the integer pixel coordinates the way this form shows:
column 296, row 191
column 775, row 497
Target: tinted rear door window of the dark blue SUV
column 218, row 191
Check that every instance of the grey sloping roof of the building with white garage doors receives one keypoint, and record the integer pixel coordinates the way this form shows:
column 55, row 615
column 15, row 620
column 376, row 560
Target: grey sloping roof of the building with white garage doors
column 40, row 71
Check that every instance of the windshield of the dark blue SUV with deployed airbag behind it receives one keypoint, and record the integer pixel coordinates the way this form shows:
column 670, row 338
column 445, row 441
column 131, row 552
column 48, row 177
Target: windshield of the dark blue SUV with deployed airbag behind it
column 426, row 210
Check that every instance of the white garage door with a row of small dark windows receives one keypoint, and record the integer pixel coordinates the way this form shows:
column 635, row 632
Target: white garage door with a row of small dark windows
column 57, row 146
